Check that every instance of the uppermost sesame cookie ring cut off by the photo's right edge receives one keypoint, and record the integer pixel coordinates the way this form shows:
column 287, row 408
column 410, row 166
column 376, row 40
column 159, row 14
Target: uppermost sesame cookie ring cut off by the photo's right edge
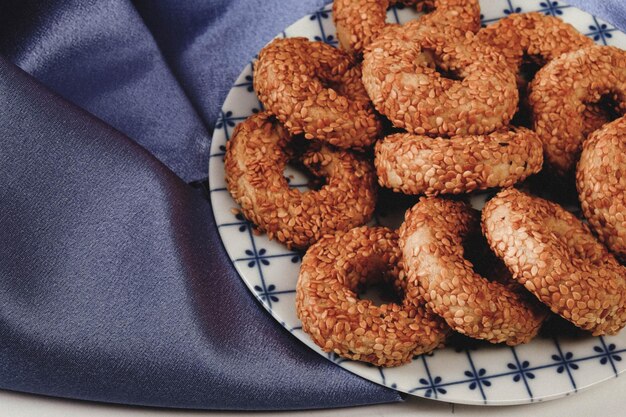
column 559, row 92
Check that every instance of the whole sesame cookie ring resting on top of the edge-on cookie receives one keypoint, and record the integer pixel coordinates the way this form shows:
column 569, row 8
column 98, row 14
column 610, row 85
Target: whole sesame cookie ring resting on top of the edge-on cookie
column 401, row 80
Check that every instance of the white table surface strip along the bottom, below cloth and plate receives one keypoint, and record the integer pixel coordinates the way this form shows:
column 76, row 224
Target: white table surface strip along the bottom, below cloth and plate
column 605, row 400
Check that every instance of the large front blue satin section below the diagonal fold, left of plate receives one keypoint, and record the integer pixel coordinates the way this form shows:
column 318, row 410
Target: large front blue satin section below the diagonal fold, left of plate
column 114, row 285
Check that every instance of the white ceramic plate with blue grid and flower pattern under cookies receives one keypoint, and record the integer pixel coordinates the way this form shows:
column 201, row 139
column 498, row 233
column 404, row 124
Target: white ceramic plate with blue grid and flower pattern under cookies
column 544, row 369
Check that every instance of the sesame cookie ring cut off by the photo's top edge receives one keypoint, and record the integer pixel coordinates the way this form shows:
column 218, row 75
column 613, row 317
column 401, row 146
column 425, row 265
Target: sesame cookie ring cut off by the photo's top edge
column 358, row 22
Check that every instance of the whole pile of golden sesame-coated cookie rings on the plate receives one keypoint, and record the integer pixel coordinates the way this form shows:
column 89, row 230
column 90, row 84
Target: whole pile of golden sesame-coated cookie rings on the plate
column 440, row 107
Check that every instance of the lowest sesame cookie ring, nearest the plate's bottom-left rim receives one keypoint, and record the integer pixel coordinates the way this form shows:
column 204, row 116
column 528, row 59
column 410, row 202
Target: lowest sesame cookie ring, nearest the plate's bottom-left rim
column 327, row 303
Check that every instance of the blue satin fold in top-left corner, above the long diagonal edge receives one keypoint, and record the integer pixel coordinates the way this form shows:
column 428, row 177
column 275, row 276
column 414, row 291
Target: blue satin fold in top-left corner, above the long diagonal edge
column 100, row 56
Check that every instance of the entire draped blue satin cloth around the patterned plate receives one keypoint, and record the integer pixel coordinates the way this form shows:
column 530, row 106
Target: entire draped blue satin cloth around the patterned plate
column 114, row 285
